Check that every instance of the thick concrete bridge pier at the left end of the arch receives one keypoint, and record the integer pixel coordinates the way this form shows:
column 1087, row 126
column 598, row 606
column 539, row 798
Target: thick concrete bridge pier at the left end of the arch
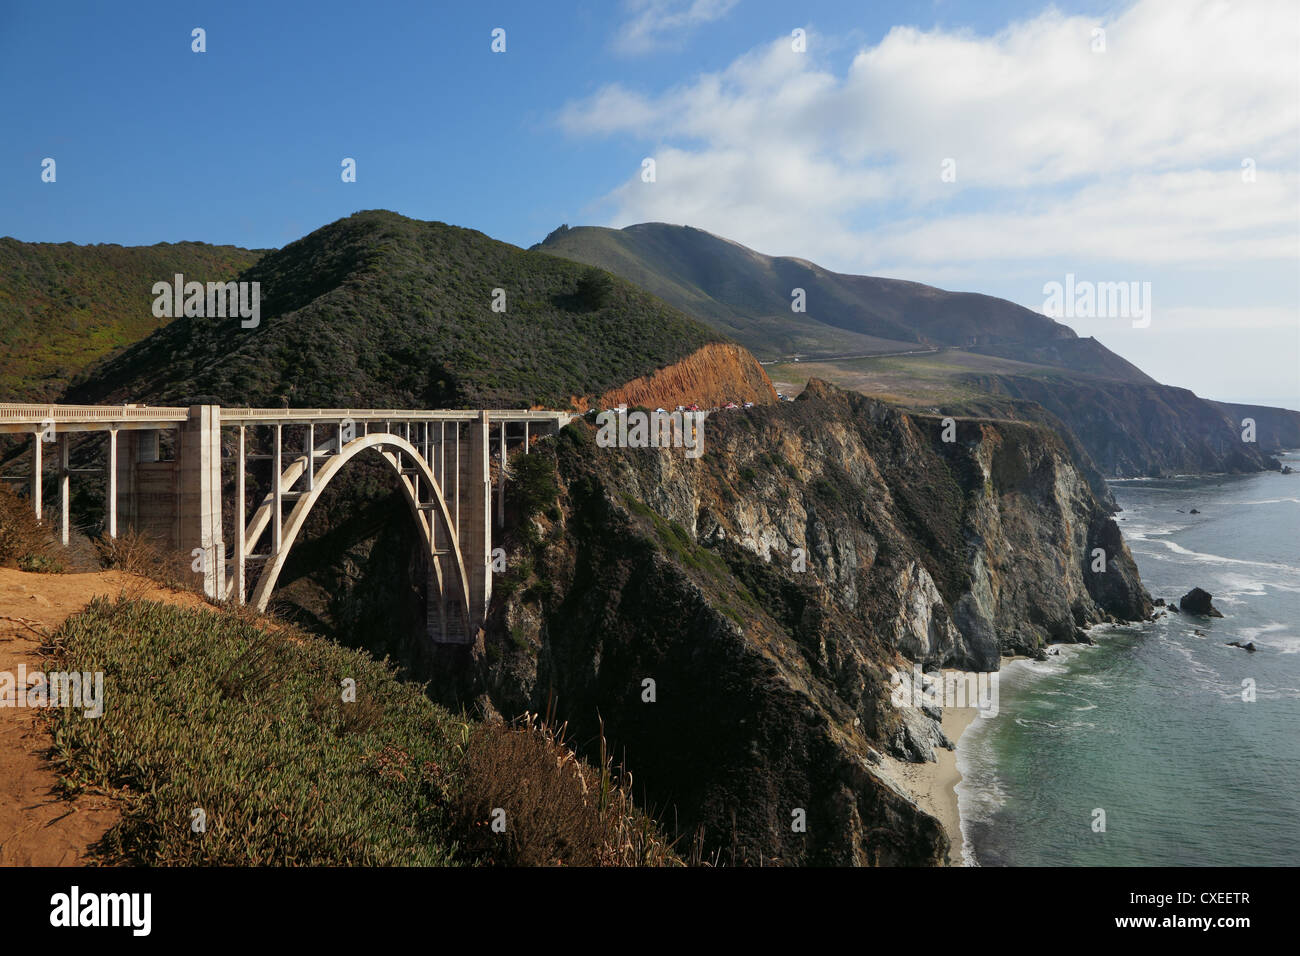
column 201, row 495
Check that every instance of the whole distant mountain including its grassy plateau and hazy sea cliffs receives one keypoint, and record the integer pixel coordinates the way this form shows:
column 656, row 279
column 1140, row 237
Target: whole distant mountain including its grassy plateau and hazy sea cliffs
column 928, row 349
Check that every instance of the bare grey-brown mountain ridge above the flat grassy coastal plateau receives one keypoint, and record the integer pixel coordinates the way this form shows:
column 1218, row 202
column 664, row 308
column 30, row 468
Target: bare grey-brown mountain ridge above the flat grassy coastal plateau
column 749, row 296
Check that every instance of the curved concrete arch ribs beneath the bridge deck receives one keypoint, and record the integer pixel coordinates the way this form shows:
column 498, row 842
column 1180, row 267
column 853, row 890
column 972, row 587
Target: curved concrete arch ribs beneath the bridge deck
column 430, row 516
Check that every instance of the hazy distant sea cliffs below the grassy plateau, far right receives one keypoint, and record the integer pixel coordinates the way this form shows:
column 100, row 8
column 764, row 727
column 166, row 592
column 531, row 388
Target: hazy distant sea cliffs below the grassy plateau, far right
column 1133, row 430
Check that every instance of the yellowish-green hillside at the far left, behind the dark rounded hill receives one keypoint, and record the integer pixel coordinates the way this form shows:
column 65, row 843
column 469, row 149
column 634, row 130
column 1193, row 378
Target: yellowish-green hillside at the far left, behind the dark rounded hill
column 64, row 306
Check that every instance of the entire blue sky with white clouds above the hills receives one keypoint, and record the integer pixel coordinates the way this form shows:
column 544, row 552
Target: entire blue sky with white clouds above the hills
column 1121, row 165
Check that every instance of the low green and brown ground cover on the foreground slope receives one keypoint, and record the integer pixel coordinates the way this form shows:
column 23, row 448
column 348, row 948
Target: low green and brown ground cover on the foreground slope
column 213, row 715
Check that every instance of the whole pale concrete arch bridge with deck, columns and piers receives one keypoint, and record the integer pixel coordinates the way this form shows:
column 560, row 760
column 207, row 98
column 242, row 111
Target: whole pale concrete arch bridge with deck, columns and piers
column 441, row 458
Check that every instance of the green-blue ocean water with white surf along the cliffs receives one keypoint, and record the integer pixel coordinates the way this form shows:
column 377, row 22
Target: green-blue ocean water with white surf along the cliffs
column 1150, row 726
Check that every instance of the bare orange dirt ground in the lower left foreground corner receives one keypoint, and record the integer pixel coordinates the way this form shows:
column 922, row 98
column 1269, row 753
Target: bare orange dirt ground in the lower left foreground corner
column 37, row 827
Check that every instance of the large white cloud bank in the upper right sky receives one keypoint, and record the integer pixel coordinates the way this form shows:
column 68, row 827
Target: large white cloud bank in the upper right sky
column 1064, row 154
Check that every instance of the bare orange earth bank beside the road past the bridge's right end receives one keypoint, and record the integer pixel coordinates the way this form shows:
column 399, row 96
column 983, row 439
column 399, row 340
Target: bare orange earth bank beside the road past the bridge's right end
column 710, row 377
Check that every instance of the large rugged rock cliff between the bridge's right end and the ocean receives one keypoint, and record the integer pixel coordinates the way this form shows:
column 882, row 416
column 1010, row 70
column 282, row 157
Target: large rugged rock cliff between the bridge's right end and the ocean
column 768, row 590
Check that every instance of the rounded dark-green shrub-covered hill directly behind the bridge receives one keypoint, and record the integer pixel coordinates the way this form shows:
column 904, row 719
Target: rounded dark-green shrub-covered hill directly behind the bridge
column 385, row 312
